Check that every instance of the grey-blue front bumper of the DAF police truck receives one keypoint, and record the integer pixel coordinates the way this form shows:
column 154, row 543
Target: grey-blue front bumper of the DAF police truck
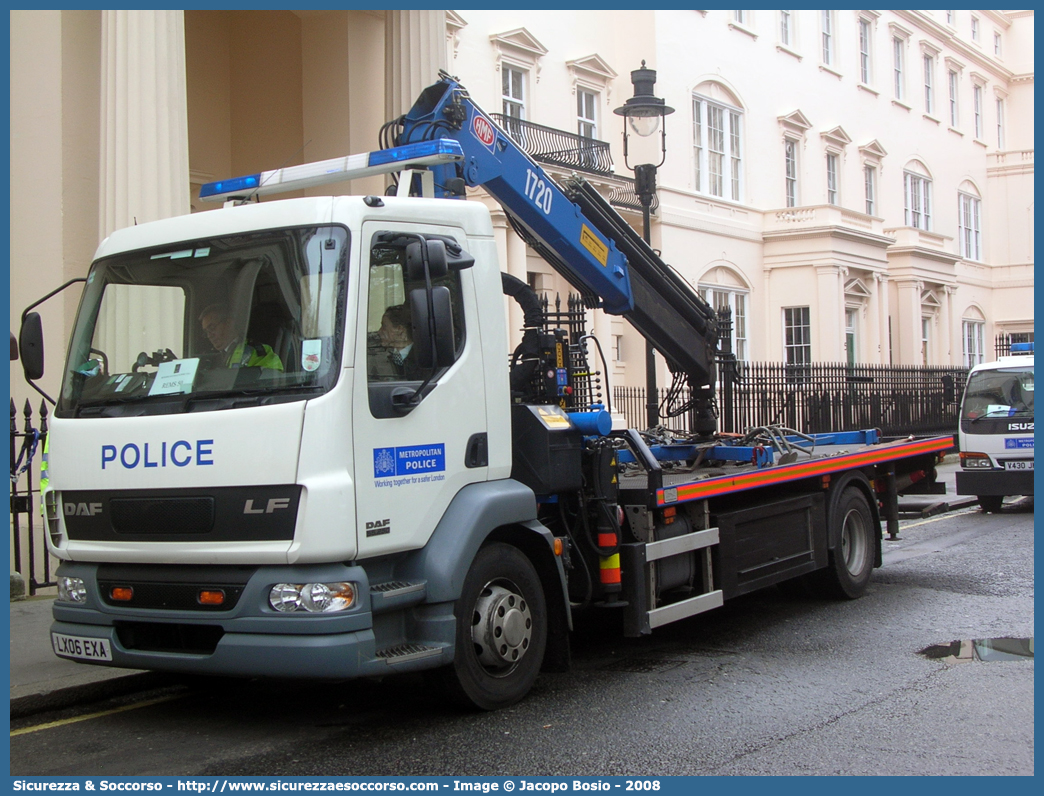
column 252, row 640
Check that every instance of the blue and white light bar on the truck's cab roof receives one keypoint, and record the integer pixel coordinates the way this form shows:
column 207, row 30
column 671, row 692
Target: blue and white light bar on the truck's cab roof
column 337, row 170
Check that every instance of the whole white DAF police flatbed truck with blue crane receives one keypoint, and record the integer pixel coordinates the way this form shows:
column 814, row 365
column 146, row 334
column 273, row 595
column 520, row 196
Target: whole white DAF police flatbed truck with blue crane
column 289, row 441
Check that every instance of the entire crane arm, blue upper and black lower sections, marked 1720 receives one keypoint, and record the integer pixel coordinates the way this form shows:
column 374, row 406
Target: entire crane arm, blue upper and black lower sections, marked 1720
column 577, row 231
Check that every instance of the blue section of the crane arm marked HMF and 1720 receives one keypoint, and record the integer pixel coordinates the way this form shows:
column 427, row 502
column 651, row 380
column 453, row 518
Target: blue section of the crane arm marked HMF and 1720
column 587, row 259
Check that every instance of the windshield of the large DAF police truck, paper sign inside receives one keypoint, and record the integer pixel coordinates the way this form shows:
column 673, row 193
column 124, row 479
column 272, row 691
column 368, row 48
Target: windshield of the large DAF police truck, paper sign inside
column 209, row 324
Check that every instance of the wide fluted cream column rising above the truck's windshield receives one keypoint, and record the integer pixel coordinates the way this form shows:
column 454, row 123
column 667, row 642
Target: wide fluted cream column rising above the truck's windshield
column 145, row 119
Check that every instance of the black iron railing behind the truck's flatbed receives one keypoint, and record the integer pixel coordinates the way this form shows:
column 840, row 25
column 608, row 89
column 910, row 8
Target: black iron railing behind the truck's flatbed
column 827, row 397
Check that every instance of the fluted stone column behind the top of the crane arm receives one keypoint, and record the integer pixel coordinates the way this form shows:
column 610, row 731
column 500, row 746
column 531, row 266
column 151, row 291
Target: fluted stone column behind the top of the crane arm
column 415, row 51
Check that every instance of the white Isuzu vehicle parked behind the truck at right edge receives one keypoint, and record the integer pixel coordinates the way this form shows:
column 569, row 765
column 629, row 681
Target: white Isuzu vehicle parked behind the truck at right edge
column 996, row 434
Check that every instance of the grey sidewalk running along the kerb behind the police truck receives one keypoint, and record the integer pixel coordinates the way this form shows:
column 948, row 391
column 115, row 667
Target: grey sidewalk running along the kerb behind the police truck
column 41, row 681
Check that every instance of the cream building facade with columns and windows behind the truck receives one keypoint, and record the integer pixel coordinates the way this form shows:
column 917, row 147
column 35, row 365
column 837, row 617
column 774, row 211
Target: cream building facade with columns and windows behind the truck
column 856, row 185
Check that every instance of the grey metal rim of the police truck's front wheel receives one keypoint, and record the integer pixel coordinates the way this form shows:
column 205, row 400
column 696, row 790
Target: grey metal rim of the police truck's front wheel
column 502, row 627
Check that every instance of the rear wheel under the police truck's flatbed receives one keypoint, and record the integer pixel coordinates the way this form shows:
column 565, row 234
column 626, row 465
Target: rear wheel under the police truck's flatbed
column 852, row 560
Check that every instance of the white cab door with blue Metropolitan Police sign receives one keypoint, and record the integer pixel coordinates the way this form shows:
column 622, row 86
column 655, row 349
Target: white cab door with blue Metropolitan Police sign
column 411, row 461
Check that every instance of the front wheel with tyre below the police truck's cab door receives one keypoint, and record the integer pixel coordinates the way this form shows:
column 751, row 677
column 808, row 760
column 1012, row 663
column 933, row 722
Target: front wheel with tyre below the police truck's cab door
column 502, row 630
